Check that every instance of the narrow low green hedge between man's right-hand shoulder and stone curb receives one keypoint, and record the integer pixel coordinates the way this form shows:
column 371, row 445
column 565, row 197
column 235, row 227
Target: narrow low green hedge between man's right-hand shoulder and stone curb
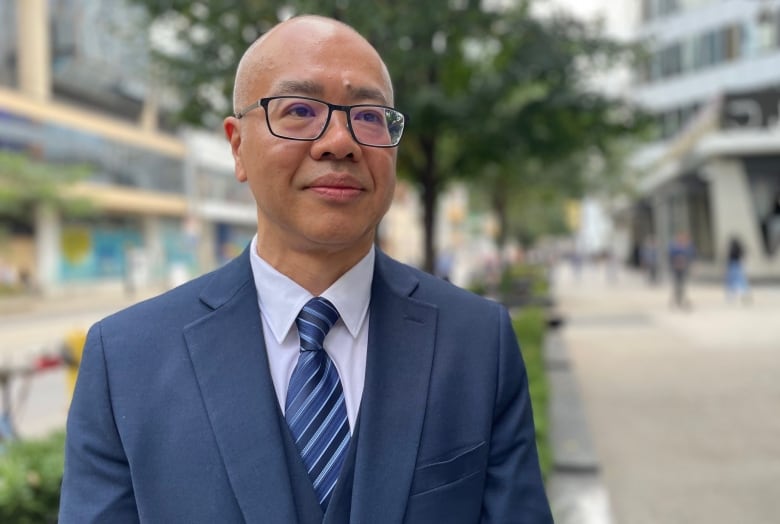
column 530, row 326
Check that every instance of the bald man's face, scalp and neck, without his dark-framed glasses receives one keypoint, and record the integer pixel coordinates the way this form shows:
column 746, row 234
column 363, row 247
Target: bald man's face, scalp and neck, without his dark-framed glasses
column 322, row 196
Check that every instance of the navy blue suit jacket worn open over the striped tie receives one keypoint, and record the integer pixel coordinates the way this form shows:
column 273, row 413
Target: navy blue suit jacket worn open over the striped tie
column 175, row 418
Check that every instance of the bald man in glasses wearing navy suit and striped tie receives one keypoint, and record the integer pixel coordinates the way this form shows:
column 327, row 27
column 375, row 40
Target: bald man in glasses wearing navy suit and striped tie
column 191, row 407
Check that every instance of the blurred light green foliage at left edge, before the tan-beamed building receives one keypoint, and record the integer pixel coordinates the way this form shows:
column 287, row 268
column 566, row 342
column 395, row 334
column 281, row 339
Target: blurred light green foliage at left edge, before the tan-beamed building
column 25, row 182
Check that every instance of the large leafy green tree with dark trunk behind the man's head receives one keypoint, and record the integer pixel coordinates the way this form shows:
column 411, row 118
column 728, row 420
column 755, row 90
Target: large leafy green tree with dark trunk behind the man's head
column 481, row 86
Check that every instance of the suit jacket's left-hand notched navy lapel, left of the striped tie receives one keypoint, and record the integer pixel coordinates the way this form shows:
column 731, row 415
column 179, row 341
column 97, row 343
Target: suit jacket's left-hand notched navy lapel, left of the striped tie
column 243, row 410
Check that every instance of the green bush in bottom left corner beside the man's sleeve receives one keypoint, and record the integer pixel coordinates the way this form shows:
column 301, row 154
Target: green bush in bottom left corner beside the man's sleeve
column 30, row 477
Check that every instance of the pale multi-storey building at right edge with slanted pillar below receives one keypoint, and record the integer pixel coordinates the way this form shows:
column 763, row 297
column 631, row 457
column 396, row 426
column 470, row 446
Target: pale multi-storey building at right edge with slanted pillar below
column 713, row 82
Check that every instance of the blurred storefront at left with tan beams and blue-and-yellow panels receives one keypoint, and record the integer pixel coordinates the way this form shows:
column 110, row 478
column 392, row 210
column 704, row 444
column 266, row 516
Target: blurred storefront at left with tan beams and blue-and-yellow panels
column 131, row 230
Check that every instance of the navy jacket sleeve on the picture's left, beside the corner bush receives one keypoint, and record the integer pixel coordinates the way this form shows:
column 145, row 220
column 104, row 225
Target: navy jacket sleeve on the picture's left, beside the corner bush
column 96, row 486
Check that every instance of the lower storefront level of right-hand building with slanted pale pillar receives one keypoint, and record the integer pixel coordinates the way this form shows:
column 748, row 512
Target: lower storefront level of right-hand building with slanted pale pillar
column 720, row 180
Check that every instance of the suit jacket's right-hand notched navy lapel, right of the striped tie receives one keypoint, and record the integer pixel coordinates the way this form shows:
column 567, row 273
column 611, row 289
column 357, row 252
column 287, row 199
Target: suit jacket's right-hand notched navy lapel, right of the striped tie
column 400, row 356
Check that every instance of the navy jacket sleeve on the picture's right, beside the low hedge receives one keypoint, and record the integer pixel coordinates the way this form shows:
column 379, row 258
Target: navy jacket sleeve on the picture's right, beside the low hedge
column 514, row 490
